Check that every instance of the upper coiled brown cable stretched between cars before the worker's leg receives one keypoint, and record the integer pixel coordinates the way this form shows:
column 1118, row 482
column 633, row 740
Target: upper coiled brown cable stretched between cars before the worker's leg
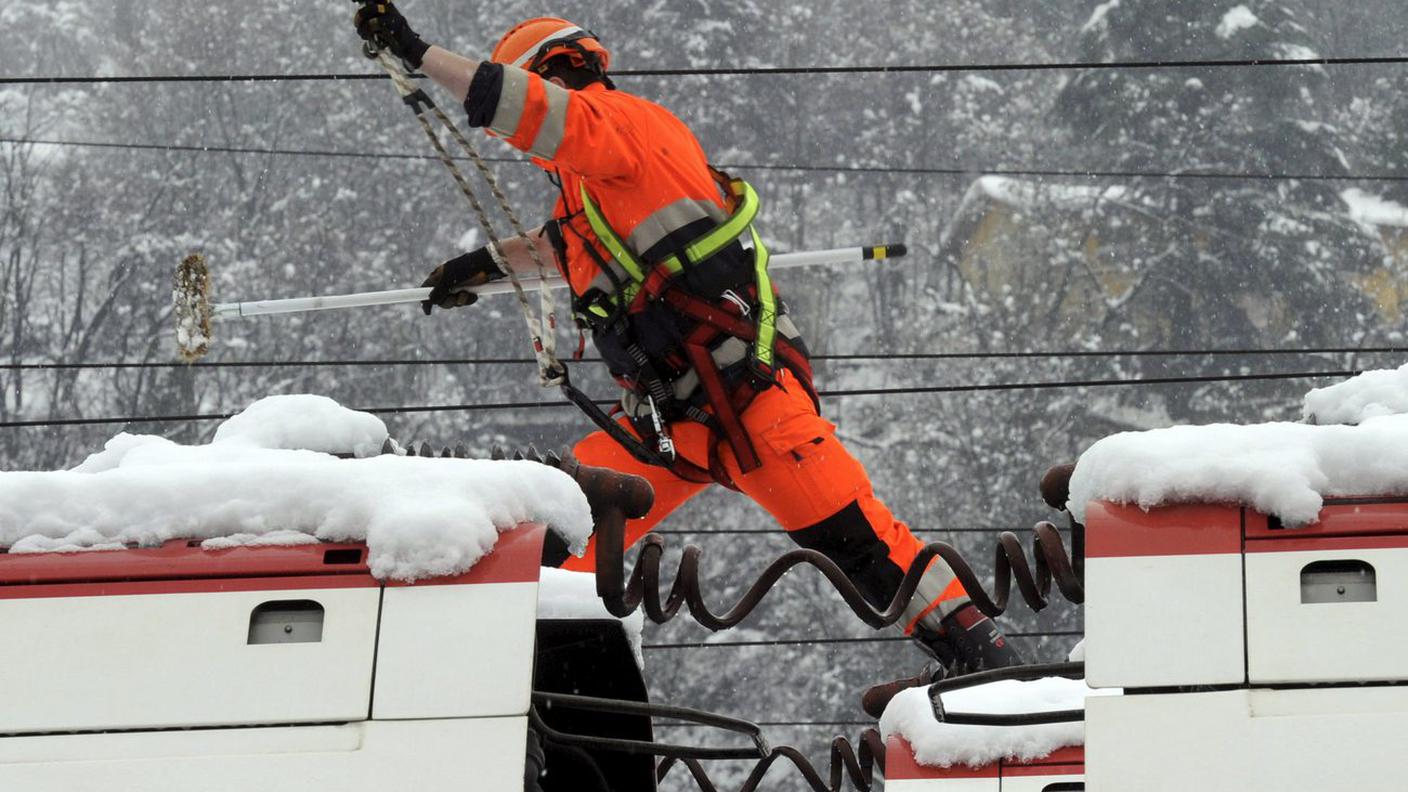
column 1010, row 564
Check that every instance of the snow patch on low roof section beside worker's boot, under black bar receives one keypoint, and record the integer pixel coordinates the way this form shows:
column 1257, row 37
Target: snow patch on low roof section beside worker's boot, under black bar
column 910, row 715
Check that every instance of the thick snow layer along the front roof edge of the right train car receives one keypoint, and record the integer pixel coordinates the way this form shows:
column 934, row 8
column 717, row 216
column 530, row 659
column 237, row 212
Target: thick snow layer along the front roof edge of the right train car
column 1278, row 469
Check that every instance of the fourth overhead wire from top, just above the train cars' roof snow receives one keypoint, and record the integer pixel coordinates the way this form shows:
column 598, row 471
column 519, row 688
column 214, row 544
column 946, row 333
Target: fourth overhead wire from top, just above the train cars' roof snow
column 824, row 394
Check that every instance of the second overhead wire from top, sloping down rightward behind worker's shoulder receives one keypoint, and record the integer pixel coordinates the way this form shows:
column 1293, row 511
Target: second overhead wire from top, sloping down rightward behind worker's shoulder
column 772, row 167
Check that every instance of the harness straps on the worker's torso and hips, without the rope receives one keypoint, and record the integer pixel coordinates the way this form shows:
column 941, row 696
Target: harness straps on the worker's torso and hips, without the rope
column 719, row 328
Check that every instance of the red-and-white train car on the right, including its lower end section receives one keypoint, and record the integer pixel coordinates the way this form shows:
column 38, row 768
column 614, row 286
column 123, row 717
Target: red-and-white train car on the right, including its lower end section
column 1251, row 656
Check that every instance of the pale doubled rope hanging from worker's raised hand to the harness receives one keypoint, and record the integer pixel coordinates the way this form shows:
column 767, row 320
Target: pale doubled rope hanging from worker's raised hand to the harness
column 543, row 326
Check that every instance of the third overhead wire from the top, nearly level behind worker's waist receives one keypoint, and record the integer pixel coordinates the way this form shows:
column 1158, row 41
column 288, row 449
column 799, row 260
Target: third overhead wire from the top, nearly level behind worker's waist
column 861, row 357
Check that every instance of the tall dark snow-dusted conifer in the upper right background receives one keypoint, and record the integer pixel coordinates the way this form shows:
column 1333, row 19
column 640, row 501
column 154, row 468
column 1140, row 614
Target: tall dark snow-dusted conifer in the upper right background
column 1221, row 260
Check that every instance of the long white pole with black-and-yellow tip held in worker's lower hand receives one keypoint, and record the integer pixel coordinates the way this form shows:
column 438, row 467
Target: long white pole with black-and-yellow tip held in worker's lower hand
column 401, row 297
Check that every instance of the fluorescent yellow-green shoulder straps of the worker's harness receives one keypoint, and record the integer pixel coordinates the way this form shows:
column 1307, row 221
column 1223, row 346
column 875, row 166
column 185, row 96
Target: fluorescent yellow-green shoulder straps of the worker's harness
column 699, row 252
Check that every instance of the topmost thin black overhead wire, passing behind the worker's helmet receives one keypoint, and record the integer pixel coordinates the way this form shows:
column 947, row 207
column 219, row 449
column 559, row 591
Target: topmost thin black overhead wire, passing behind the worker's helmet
column 764, row 71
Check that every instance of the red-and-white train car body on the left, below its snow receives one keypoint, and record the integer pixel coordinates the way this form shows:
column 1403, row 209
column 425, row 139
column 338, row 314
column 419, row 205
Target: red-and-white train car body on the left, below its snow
column 265, row 669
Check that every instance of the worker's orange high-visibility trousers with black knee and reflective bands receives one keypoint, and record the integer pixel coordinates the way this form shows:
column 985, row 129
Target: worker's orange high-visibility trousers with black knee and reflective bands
column 809, row 483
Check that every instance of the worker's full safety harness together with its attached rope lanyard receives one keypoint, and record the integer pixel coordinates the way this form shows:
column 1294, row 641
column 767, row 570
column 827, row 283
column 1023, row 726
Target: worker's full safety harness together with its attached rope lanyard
column 717, row 323
